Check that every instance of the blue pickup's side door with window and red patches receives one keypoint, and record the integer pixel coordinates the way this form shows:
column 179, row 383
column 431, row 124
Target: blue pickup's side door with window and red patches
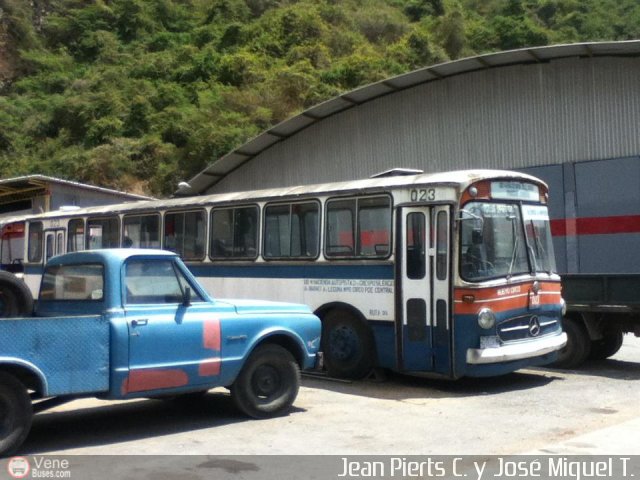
column 171, row 345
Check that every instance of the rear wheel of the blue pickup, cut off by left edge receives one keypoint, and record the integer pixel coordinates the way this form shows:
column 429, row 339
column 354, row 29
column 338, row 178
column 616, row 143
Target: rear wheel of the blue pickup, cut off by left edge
column 16, row 413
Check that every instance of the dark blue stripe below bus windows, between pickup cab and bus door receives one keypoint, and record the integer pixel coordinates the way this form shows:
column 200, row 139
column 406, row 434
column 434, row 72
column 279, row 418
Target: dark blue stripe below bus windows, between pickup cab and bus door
column 310, row 270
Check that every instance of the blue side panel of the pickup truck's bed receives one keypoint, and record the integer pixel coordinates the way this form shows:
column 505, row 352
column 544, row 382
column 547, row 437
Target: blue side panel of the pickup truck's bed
column 71, row 353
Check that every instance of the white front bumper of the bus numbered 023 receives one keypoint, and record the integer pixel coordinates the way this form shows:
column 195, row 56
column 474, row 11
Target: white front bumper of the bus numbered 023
column 519, row 351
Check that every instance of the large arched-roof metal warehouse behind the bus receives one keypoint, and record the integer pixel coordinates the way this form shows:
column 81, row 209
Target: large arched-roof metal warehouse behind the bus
column 569, row 114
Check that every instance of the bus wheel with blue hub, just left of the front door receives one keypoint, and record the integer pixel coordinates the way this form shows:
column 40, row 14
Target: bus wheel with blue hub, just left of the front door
column 347, row 345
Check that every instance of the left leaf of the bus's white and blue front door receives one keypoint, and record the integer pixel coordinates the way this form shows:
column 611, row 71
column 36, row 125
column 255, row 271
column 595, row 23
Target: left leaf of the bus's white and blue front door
column 413, row 327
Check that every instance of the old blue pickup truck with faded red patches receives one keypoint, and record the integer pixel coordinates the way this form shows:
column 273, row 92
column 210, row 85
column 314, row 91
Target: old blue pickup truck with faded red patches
column 124, row 323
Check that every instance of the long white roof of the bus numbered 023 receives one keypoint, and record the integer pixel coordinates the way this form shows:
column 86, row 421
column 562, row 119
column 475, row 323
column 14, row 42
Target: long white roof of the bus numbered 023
column 457, row 179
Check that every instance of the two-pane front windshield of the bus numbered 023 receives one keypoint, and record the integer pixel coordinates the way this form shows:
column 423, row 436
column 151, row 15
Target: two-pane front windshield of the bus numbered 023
column 494, row 243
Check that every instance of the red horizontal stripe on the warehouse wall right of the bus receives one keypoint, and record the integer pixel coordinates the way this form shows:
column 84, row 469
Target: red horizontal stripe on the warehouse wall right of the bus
column 595, row 225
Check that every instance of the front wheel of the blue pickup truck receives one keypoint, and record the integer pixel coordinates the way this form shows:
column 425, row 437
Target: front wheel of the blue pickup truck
column 268, row 383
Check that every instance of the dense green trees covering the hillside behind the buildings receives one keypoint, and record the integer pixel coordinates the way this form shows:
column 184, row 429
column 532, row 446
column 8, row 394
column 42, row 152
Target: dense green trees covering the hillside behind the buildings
column 139, row 94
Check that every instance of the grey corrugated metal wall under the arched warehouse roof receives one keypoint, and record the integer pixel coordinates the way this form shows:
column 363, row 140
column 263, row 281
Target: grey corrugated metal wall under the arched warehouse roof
column 511, row 117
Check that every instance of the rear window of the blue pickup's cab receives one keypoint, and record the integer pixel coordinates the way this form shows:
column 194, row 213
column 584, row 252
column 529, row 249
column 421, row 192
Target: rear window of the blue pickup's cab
column 73, row 282
